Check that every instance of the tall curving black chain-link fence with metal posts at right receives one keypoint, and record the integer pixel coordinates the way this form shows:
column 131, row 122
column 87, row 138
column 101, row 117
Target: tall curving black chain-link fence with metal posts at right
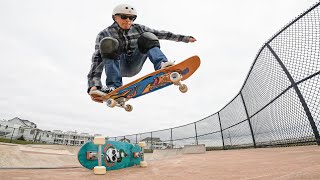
column 278, row 104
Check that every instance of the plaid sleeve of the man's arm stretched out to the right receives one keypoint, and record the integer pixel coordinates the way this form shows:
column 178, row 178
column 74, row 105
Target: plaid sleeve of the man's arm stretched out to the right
column 167, row 35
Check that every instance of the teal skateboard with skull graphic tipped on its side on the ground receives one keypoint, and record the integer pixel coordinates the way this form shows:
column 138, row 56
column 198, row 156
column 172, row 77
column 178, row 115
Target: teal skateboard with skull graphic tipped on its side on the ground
column 101, row 155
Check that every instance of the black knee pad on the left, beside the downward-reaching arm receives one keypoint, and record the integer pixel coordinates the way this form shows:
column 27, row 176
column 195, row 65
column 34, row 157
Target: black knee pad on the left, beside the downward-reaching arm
column 109, row 48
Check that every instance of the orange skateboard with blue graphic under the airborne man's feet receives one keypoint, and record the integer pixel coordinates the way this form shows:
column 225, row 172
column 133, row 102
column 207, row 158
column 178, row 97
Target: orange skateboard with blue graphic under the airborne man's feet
column 152, row 82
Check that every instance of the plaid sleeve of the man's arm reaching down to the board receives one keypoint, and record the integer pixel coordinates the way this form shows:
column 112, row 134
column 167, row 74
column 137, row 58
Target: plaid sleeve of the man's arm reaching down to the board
column 94, row 76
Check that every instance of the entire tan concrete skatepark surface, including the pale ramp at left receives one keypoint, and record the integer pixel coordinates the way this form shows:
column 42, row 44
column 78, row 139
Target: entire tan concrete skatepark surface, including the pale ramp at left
column 60, row 162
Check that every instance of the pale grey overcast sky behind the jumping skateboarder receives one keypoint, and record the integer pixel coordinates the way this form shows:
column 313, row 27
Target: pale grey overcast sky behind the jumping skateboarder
column 46, row 48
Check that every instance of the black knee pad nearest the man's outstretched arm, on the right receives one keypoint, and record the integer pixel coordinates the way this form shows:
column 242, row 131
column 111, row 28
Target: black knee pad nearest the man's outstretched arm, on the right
column 147, row 41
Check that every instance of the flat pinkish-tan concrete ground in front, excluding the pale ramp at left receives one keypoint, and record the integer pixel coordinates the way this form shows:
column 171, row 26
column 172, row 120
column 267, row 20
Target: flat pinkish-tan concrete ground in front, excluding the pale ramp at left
column 301, row 162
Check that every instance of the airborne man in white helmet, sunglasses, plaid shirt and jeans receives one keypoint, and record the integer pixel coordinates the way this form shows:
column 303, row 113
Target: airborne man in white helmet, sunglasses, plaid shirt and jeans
column 122, row 48
